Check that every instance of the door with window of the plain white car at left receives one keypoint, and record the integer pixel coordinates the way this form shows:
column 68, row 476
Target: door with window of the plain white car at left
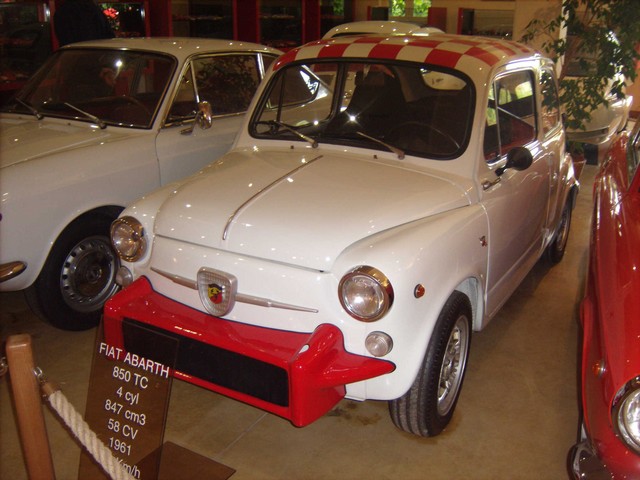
column 227, row 82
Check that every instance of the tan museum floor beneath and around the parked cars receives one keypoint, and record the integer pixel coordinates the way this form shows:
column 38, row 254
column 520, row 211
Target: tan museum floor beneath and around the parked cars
column 516, row 419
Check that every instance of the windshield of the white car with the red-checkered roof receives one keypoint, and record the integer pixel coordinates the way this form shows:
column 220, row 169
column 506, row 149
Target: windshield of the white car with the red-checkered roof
column 404, row 108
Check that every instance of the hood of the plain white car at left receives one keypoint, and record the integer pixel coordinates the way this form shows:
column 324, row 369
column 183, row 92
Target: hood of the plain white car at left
column 24, row 138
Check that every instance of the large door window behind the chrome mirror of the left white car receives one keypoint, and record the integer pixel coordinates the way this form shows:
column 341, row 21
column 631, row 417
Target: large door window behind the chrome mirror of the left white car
column 227, row 82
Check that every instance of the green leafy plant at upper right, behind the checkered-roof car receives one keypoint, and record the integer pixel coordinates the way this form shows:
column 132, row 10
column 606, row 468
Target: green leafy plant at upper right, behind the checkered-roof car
column 602, row 42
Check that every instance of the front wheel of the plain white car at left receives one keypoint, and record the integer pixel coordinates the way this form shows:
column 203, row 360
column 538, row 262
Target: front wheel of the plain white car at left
column 78, row 276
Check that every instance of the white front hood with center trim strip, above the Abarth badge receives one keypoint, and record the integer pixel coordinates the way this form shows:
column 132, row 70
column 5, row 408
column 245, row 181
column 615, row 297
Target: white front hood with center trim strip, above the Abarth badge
column 300, row 208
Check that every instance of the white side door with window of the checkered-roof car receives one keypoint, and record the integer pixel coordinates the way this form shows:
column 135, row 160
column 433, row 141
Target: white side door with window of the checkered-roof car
column 516, row 202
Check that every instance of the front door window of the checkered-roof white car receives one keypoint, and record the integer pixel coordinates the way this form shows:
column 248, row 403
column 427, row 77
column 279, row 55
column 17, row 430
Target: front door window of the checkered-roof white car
column 511, row 114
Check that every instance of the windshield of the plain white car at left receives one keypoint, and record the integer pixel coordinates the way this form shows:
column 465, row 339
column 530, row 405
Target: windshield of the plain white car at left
column 108, row 87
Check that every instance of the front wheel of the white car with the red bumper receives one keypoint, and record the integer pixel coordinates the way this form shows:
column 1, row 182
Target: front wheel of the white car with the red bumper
column 428, row 406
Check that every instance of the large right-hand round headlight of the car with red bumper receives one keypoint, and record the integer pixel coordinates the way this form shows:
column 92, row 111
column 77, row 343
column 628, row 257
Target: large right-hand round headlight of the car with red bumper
column 366, row 294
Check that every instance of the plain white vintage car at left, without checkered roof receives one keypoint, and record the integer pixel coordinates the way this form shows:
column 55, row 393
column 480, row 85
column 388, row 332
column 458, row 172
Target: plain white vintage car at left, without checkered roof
column 99, row 125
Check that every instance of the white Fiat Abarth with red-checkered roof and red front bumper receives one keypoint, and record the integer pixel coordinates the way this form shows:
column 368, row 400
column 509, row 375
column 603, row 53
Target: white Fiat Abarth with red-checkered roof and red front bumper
column 382, row 201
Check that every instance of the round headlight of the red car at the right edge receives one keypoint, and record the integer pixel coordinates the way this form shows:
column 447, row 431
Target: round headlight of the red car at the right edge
column 626, row 414
